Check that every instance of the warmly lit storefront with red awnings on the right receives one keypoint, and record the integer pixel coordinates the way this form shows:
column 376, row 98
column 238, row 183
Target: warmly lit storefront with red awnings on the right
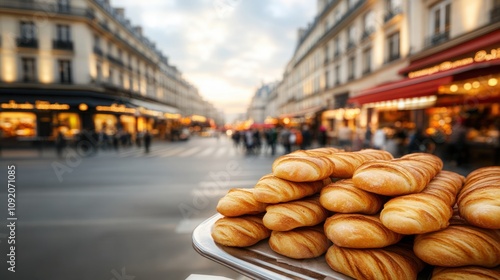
column 460, row 83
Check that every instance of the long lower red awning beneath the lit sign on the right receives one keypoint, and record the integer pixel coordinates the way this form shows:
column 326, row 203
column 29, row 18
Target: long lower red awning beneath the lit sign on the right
column 415, row 87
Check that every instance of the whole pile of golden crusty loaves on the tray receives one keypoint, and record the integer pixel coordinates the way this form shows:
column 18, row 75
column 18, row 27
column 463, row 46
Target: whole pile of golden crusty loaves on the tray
column 372, row 216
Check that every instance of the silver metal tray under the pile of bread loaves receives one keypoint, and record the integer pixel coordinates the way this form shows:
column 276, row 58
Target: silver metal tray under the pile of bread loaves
column 259, row 261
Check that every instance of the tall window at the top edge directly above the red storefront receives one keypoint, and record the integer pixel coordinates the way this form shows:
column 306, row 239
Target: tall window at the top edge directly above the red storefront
column 440, row 21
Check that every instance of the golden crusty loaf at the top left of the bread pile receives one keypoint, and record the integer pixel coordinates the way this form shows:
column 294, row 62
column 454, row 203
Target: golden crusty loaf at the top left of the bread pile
column 304, row 166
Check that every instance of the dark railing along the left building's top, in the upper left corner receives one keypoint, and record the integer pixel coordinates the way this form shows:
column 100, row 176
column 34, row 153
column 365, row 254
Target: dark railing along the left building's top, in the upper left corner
column 46, row 8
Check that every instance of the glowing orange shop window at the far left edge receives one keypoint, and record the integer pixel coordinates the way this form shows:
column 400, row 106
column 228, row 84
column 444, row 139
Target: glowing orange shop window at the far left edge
column 15, row 124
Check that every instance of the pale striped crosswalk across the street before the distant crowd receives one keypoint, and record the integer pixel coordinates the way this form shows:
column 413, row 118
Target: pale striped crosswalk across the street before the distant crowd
column 213, row 152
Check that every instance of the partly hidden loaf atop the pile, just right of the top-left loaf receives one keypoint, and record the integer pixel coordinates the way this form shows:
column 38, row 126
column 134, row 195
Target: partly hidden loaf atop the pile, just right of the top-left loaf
column 345, row 163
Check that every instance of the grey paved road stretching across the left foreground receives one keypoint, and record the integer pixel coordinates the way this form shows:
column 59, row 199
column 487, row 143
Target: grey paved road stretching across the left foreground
column 119, row 215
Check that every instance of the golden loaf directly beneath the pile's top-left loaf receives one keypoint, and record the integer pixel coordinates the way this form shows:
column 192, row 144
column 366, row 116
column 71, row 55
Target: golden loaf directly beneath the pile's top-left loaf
column 271, row 189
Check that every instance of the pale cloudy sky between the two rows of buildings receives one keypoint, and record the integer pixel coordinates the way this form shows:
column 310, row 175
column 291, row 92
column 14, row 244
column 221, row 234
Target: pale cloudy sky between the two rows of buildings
column 226, row 48
